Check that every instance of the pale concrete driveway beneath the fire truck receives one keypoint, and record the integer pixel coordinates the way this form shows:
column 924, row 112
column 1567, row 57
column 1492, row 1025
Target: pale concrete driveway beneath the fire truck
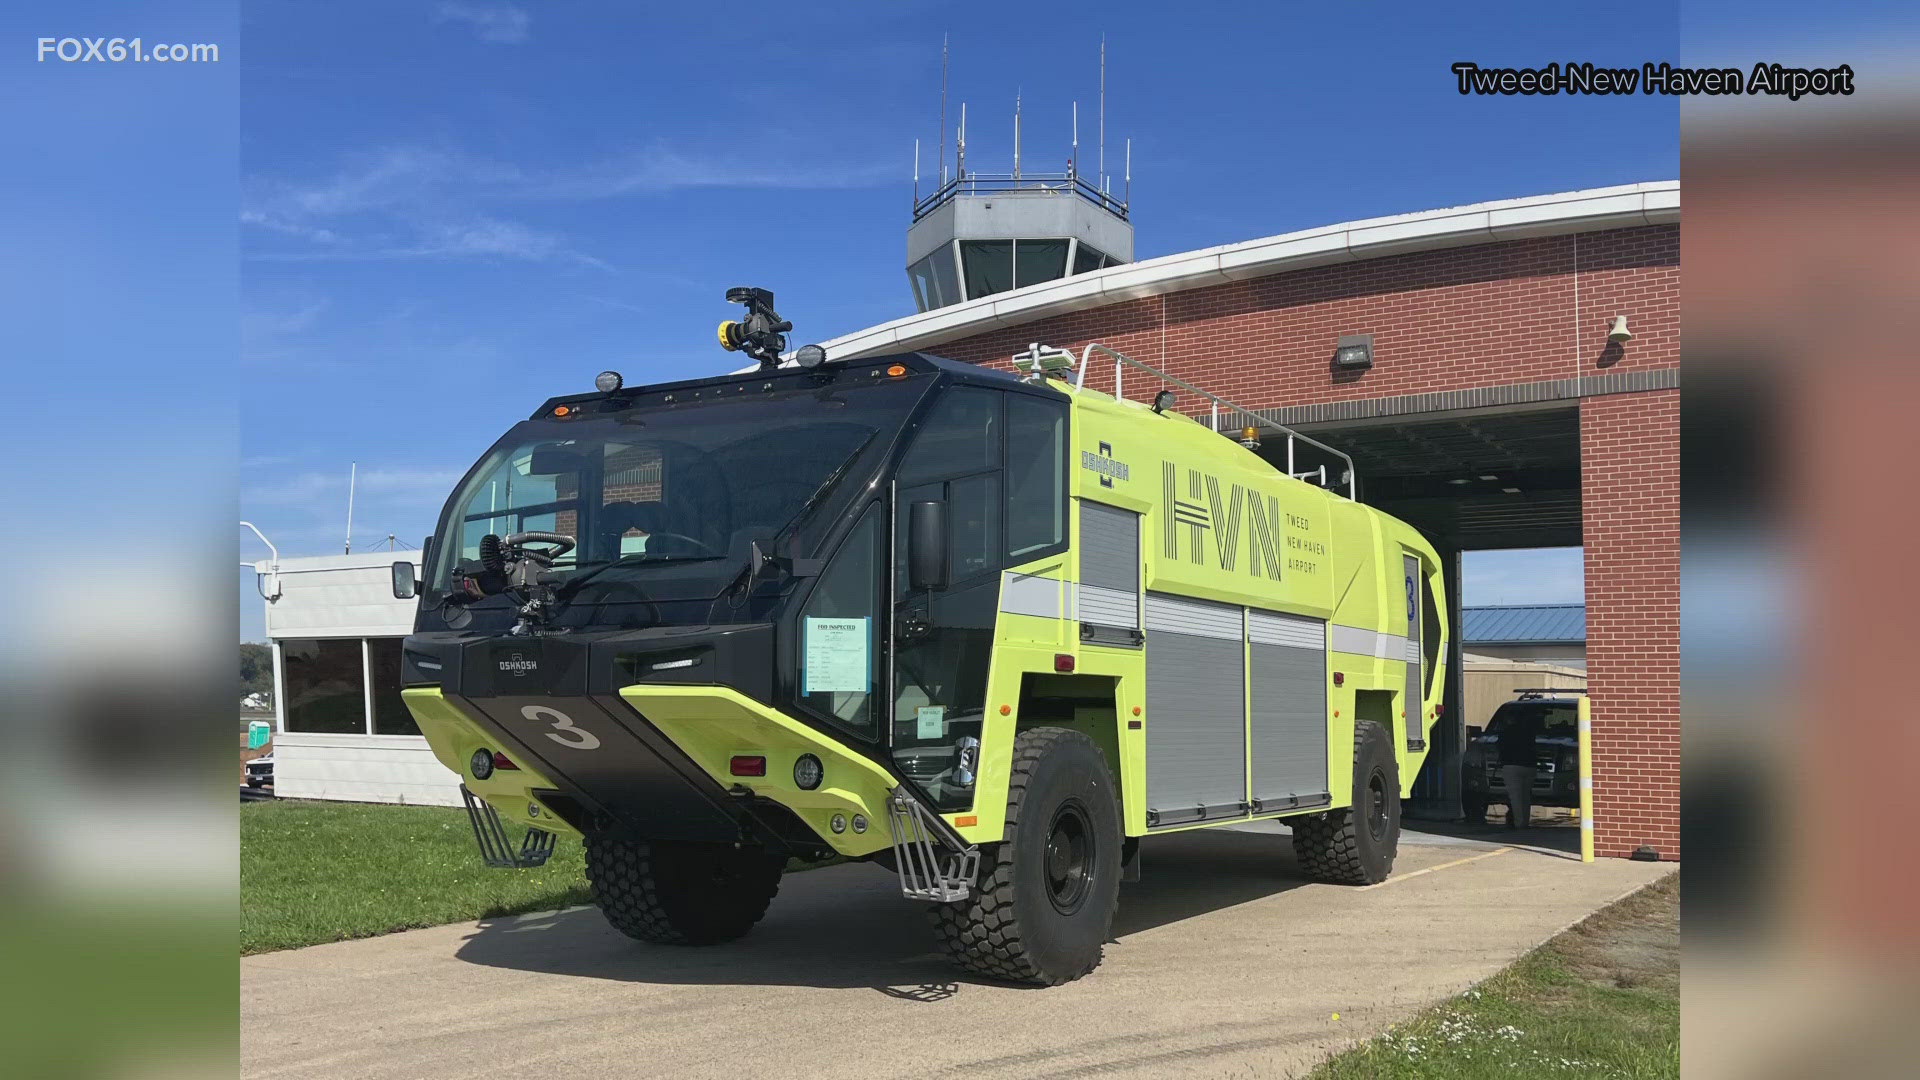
column 1226, row 964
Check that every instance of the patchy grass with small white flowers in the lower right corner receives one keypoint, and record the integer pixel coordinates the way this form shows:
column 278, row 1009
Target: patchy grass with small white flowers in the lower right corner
column 1600, row 1000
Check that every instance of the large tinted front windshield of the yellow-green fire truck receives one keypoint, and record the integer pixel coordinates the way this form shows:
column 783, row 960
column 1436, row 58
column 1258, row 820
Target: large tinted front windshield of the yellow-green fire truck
column 669, row 485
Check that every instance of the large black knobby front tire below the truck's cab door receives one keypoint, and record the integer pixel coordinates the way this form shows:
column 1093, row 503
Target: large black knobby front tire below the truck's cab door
column 1044, row 904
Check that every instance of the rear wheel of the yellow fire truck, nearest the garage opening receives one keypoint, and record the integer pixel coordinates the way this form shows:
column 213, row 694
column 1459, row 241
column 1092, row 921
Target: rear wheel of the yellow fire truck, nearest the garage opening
column 1355, row 847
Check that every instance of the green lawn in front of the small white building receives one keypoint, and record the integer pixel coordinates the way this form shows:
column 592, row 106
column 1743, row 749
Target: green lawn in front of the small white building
column 329, row 871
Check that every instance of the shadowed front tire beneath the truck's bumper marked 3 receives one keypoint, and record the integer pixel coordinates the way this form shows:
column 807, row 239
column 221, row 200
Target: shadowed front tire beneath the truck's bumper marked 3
column 681, row 895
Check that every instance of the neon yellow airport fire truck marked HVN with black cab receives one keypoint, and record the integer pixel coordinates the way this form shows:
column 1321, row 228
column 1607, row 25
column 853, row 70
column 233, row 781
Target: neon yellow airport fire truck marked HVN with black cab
column 986, row 629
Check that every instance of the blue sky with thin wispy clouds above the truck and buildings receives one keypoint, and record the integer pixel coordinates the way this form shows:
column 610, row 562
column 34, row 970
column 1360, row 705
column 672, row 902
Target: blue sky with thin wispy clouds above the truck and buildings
column 456, row 209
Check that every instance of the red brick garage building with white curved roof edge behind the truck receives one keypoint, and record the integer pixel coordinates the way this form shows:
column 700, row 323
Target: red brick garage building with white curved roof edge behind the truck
column 1504, row 376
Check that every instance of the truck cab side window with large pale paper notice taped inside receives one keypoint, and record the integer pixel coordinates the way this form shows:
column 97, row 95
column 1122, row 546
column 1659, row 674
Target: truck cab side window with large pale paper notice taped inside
column 838, row 633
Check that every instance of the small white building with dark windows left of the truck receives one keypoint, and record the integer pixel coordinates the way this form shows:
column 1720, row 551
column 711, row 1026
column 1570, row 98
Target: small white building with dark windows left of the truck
column 341, row 727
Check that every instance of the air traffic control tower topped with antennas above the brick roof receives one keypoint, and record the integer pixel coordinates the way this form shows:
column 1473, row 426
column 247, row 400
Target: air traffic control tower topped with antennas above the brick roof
column 984, row 233
